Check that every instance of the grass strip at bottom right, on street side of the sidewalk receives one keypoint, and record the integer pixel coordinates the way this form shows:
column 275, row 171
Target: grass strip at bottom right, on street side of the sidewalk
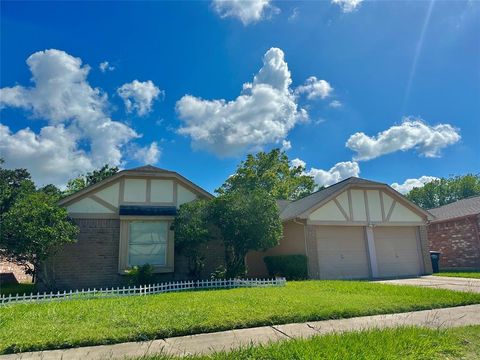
column 412, row 343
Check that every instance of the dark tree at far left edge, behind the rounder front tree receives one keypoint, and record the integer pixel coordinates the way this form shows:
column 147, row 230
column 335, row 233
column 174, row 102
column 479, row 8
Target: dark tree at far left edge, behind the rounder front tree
column 13, row 184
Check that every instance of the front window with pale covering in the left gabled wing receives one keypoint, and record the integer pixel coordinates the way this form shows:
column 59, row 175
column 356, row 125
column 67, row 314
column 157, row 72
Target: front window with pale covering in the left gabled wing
column 147, row 243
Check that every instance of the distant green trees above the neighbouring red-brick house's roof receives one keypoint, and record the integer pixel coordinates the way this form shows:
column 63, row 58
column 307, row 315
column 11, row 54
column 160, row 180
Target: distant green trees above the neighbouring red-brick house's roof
column 445, row 190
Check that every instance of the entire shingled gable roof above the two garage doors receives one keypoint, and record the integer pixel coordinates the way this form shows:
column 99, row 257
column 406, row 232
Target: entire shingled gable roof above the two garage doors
column 299, row 207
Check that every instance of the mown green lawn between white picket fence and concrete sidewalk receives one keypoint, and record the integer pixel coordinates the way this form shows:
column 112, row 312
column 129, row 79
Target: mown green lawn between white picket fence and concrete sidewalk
column 102, row 321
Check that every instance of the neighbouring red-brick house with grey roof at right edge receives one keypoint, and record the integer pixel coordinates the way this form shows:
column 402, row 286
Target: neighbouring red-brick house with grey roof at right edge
column 455, row 233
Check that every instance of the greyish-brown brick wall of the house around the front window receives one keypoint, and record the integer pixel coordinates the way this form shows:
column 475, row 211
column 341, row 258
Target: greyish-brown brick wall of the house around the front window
column 93, row 260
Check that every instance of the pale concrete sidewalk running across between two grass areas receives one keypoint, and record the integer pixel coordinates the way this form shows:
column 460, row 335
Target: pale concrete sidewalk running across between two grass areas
column 232, row 339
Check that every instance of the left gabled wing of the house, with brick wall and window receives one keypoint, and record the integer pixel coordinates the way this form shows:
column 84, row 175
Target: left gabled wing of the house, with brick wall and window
column 125, row 220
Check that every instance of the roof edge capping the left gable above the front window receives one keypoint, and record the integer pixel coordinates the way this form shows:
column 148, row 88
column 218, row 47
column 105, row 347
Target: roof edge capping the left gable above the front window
column 147, row 170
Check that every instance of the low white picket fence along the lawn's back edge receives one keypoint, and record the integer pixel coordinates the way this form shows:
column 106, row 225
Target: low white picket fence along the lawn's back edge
column 142, row 290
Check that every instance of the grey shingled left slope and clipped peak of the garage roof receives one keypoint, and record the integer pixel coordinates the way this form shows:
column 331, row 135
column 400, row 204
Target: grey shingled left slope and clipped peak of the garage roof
column 297, row 207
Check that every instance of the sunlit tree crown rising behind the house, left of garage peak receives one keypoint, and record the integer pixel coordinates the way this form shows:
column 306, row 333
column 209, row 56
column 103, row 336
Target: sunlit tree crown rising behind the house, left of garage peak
column 271, row 172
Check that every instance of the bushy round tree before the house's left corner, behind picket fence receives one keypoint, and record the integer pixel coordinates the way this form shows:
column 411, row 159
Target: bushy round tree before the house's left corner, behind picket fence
column 33, row 229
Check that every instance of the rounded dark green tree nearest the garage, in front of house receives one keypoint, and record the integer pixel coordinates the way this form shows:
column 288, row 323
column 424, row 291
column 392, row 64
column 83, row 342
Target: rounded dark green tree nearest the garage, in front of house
column 246, row 221
